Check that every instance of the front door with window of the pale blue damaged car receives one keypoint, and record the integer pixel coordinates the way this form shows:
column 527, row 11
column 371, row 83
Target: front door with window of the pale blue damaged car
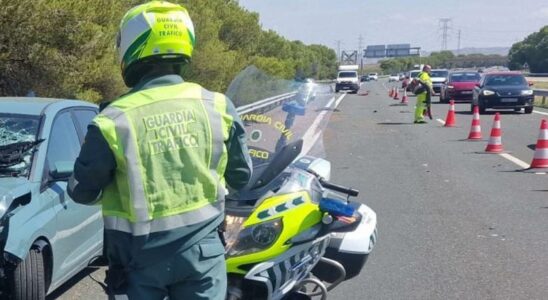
column 79, row 228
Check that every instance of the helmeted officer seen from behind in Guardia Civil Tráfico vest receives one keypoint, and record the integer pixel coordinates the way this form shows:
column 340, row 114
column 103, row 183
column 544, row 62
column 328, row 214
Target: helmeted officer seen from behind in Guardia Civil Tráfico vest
column 158, row 160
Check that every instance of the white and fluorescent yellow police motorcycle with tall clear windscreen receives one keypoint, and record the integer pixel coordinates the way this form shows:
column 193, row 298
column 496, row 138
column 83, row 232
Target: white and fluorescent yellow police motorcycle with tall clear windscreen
column 290, row 233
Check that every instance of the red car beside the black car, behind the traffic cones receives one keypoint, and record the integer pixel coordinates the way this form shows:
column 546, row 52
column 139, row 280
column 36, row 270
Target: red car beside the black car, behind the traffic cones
column 459, row 86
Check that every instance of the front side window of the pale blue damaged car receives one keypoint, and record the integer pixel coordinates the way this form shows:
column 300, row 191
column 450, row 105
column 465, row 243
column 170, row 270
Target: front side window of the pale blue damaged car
column 63, row 144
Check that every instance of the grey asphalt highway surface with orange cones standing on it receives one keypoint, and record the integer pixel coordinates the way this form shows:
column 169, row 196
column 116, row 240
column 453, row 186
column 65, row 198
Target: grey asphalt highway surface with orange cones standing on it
column 454, row 223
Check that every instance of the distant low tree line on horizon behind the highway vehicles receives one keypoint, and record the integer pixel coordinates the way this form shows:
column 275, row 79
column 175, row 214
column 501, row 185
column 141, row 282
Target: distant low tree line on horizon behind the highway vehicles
column 443, row 59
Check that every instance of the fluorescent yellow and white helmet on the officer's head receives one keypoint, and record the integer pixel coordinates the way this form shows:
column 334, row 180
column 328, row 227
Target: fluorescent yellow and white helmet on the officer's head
column 155, row 31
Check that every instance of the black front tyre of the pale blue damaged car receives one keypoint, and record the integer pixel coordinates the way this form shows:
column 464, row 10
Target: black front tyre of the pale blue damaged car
column 29, row 278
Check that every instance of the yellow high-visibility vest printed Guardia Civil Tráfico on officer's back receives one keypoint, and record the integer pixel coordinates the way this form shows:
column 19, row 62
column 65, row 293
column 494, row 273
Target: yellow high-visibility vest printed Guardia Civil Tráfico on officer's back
column 170, row 157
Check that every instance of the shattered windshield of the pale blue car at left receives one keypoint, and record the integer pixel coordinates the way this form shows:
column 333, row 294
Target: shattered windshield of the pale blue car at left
column 17, row 140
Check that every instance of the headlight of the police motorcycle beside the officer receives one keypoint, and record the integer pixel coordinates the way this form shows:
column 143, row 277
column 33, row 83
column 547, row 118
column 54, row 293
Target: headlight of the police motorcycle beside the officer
column 256, row 237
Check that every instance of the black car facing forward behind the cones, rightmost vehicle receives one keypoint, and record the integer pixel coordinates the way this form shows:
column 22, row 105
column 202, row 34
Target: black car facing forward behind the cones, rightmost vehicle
column 503, row 90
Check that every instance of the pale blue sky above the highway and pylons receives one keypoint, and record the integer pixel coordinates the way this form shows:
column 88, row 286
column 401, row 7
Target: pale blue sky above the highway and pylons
column 483, row 23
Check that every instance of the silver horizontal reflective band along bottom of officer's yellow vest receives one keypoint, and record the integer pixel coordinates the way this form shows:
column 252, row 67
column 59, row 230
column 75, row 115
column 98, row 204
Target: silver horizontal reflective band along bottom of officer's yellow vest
column 162, row 224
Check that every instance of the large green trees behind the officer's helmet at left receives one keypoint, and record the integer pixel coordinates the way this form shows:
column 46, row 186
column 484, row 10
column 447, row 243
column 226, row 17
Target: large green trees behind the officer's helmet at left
column 65, row 48
